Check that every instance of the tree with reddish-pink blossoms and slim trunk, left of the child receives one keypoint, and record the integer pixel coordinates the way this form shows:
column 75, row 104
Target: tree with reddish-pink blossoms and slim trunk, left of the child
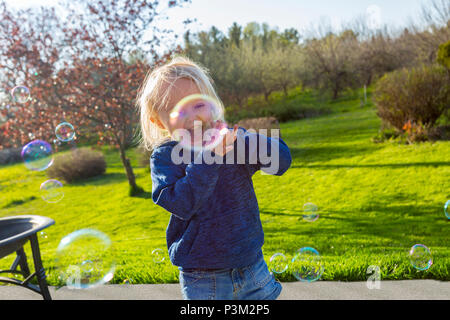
column 85, row 70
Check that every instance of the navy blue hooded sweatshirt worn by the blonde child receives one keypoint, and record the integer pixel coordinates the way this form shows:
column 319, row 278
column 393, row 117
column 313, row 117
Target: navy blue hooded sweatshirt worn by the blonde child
column 215, row 220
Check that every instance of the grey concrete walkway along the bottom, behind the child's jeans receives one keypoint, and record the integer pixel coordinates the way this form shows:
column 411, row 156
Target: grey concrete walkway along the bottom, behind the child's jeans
column 321, row 290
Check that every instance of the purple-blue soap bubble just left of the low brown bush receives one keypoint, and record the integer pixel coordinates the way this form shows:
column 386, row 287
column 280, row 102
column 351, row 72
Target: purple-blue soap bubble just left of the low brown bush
column 37, row 155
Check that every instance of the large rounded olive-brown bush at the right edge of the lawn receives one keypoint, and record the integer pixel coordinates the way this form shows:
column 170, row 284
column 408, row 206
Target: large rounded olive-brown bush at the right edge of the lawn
column 413, row 99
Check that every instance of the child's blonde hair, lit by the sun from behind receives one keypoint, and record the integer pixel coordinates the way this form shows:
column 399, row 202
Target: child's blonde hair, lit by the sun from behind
column 151, row 99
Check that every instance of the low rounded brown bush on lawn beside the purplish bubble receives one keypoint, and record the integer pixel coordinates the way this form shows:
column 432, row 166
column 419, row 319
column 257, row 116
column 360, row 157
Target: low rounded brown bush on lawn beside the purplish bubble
column 77, row 165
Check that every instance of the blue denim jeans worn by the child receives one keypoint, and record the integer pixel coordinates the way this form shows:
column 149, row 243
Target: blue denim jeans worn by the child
column 253, row 282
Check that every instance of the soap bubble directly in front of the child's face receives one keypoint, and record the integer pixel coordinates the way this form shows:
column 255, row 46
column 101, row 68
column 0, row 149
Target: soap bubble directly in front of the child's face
column 198, row 122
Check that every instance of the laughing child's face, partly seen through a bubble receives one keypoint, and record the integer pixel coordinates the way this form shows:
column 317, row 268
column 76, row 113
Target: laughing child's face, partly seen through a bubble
column 195, row 112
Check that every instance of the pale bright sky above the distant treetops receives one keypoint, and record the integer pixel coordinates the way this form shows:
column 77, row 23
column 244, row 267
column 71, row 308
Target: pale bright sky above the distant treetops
column 298, row 14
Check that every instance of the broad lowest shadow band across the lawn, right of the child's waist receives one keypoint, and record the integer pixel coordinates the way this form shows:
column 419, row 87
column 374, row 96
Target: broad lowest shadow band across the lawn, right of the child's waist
column 400, row 224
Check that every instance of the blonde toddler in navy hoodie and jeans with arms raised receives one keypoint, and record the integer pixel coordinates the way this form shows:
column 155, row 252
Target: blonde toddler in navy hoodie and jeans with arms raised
column 214, row 235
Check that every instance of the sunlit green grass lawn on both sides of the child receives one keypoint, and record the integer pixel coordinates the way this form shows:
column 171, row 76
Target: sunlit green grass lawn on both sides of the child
column 375, row 202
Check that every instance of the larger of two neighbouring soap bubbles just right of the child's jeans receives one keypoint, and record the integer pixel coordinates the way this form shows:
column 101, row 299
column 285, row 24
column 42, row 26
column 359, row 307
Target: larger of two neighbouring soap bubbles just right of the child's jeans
column 307, row 265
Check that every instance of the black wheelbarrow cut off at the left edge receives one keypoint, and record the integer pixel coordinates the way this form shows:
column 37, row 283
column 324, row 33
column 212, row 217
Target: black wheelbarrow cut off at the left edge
column 14, row 234
